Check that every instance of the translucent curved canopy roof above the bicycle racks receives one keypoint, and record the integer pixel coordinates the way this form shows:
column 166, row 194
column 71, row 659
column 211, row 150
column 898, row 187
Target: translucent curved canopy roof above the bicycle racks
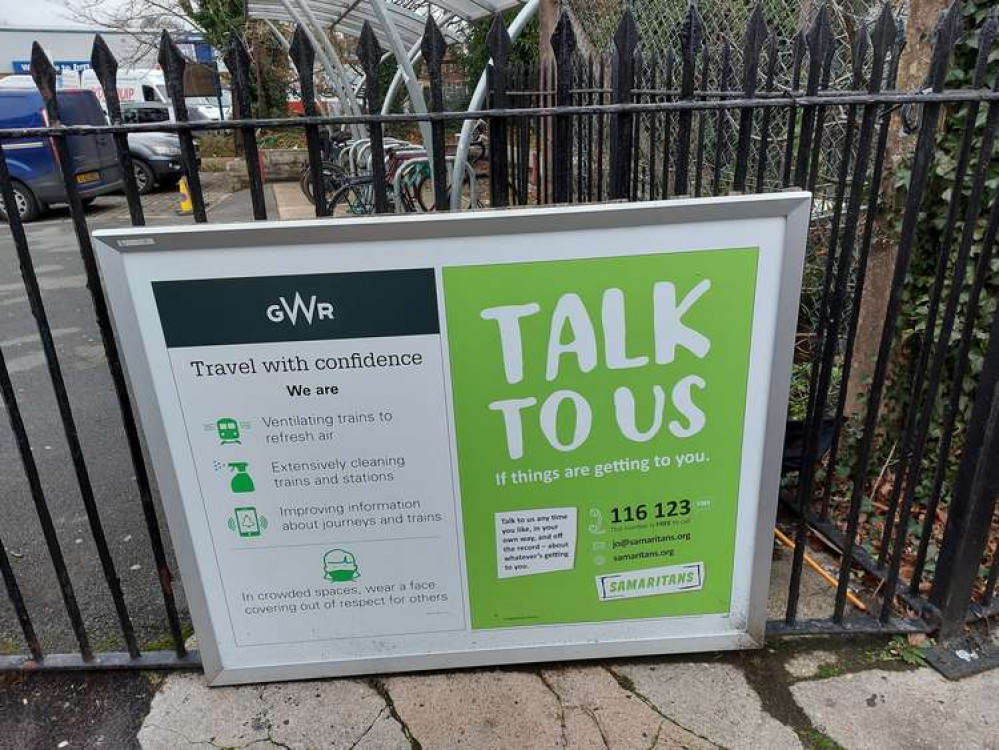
column 348, row 16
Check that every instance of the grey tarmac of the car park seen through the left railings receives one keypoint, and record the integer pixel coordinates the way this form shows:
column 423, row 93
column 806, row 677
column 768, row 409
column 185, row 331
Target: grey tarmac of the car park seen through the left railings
column 68, row 305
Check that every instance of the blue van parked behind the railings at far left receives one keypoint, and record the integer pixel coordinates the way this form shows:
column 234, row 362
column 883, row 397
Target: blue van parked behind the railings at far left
column 34, row 163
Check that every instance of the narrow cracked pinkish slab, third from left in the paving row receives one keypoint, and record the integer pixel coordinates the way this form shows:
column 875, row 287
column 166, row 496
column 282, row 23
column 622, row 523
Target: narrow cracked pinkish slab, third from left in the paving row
column 599, row 713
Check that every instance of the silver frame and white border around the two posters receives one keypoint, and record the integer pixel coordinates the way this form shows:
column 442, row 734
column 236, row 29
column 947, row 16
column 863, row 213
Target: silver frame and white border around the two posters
column 130, row 258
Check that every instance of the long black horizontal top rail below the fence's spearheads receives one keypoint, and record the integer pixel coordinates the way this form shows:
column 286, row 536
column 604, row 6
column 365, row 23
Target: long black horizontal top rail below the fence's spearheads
column 592, row 109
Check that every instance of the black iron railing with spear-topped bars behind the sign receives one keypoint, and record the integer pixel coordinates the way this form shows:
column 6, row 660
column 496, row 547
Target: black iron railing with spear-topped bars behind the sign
column 620, row 127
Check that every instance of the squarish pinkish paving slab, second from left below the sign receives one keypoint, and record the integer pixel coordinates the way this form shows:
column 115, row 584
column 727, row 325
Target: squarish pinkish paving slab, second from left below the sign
column 485, row 710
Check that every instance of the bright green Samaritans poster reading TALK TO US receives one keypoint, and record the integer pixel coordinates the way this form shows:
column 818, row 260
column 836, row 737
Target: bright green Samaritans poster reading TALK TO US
column 599, row 409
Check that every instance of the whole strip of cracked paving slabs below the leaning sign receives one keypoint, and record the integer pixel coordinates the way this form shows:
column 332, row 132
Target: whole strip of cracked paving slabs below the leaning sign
column 820, row 693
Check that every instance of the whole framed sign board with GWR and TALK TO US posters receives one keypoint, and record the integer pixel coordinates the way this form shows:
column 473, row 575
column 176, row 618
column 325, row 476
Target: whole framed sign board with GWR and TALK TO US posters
column 422, row 442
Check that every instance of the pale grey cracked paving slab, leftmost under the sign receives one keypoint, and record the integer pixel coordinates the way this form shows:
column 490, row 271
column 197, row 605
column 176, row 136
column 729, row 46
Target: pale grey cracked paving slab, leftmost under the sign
column 323, row 715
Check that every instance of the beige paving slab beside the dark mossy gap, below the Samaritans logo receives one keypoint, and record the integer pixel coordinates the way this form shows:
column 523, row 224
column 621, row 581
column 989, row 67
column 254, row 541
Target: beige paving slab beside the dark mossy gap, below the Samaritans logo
column 714, row 701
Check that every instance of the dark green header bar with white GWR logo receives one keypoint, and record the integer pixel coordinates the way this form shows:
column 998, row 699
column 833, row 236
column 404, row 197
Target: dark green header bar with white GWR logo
column 261, row 309
